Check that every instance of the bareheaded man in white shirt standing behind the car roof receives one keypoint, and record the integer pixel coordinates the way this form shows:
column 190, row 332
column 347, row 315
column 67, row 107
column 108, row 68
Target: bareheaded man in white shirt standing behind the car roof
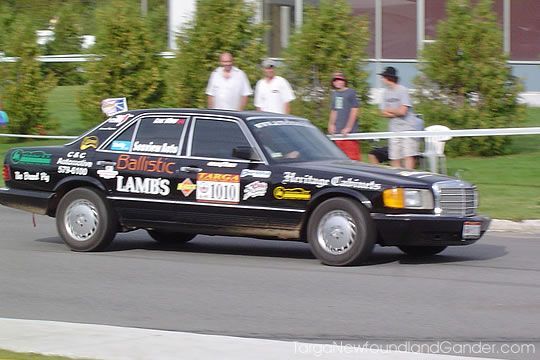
column 228, row 86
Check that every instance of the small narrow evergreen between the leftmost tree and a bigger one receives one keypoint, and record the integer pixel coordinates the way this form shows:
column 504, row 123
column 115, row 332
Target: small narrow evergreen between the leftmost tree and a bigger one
column 67, row 40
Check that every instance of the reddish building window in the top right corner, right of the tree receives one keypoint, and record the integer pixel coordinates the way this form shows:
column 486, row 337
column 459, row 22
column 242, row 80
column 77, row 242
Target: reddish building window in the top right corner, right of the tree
column 525, row 30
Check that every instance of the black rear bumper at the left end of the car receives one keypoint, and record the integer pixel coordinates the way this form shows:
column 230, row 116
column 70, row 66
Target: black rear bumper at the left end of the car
column 36, row 202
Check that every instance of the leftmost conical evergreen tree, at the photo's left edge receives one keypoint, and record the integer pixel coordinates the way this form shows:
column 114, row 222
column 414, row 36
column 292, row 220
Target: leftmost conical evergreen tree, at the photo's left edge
column 25, row 89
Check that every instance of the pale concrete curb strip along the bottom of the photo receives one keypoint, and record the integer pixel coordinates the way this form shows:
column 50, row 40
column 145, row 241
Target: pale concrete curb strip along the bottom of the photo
column 122, row 343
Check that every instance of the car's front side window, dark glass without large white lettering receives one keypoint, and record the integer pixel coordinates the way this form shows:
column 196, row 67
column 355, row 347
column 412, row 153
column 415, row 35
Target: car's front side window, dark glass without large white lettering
column 217, row 138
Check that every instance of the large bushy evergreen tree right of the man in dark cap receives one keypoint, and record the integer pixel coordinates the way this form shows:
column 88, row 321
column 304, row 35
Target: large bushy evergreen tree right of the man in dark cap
column 465, row 81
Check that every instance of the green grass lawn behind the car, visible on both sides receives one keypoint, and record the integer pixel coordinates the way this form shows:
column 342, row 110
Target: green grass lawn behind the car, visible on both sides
column 509, row 185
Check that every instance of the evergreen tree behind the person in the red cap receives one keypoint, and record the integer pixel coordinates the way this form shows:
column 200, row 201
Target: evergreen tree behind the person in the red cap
column 331, row 39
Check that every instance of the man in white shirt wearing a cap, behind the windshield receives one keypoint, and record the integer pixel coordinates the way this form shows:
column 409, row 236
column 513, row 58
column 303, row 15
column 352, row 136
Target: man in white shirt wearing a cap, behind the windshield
column 273, row 93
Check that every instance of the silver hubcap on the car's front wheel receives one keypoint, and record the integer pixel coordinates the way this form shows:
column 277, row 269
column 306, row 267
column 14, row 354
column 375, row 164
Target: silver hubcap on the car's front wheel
column 336, row 232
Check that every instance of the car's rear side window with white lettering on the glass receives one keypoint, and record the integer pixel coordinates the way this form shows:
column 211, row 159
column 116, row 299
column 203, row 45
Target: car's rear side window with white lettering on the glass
column 159, row 134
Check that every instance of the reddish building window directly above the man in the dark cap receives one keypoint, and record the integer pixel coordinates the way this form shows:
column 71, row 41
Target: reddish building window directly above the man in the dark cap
column 399, row 29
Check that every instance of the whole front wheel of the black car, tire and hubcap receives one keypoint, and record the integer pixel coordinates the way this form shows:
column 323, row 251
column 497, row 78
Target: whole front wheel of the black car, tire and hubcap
column 341, row 232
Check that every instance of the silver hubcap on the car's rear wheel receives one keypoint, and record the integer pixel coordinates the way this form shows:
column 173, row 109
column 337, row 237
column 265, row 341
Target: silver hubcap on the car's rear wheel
column 81, row 220
